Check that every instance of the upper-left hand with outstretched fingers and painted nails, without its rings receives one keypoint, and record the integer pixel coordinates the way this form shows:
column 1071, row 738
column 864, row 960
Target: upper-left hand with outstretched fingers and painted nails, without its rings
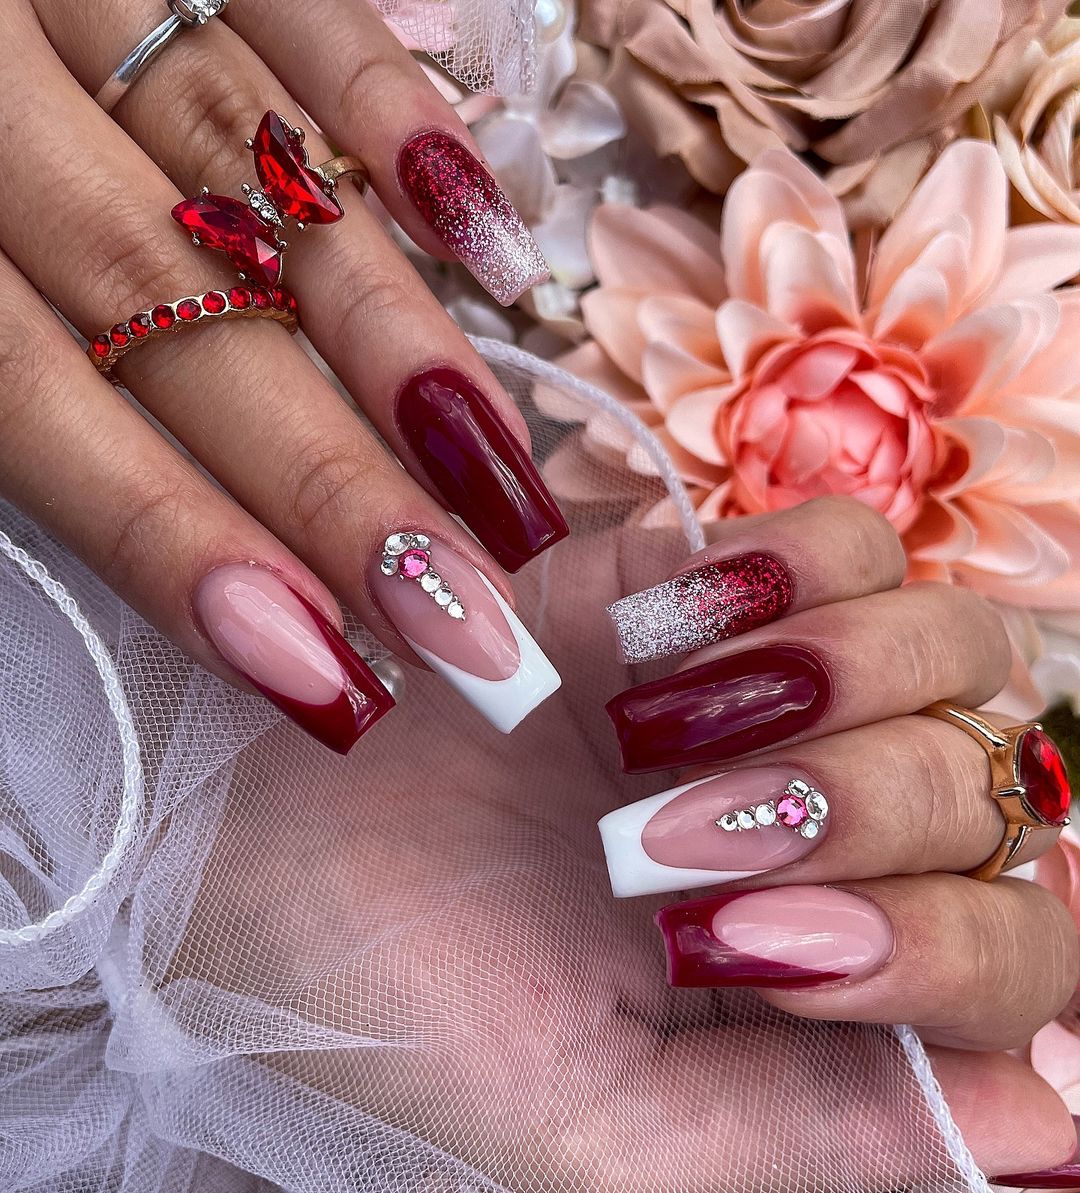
column 240, row 573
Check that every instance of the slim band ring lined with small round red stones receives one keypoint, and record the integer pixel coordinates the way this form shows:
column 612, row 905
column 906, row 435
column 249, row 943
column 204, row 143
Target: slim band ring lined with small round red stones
column 239, row 302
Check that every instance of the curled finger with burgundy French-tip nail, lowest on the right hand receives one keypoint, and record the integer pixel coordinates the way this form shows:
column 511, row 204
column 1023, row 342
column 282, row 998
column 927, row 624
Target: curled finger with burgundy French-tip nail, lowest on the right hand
column 972, row 965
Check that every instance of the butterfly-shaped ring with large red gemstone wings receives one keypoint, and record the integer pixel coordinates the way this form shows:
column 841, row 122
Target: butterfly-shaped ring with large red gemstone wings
column 251, row 234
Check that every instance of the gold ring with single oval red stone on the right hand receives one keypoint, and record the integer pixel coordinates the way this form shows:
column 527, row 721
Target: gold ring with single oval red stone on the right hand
column 1028, row 781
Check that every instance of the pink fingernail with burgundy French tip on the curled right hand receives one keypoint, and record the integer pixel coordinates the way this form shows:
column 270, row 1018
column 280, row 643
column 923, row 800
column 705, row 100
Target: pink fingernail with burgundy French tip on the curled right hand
column 783, row 937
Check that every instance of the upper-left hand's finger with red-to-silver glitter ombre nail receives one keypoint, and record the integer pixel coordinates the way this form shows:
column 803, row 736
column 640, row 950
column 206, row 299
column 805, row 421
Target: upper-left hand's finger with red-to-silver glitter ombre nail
column 365, row 89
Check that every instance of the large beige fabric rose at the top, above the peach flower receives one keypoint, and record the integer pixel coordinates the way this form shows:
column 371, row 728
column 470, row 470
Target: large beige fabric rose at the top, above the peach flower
column 871, row 86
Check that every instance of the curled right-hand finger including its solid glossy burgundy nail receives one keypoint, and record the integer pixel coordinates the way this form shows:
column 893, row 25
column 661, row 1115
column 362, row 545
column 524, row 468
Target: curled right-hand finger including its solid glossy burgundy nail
column 818, row 672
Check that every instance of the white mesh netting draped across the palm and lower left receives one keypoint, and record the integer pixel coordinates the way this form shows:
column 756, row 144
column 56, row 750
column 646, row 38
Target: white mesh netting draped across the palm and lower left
column 397, row 972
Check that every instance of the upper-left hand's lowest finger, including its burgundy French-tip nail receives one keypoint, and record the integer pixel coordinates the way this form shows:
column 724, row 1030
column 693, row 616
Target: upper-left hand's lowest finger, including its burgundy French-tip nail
column 83, row 463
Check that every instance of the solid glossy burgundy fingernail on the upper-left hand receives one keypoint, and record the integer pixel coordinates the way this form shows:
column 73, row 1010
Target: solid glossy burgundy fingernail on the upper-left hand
column 483, row 472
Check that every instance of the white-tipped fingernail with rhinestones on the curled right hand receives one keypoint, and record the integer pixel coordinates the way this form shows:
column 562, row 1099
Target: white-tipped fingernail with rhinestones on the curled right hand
column 714, row 831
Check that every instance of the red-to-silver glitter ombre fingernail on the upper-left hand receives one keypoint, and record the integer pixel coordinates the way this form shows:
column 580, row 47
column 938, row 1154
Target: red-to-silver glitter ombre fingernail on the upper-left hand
column 467, row 209
